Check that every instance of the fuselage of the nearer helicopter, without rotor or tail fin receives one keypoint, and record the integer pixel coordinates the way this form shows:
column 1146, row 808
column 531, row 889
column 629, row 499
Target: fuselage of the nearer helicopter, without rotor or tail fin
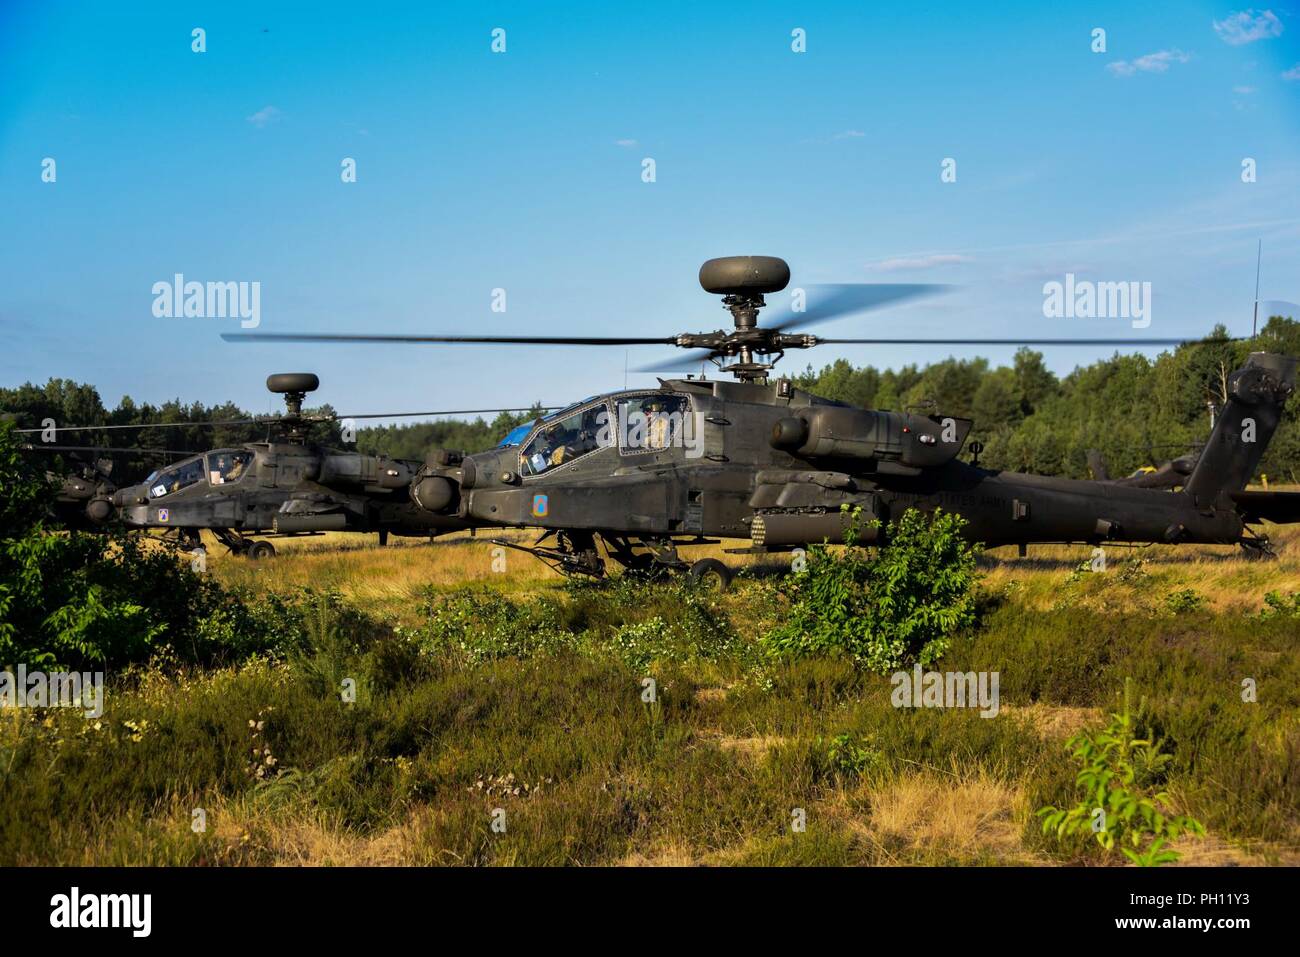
column 777, row 465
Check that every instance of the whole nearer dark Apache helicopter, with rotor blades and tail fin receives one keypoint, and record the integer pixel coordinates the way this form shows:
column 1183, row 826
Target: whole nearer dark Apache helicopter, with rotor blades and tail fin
column 760, row 460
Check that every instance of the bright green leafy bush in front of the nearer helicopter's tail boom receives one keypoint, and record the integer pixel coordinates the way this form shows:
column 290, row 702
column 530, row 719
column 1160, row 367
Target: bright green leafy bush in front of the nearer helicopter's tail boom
column 896, row 604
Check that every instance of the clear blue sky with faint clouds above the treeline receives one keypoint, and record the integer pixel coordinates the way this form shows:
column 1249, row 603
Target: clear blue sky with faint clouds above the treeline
column 523, row 171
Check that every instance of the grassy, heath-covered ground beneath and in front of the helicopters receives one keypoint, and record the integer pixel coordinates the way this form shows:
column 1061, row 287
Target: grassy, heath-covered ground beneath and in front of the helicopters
column 484, row 692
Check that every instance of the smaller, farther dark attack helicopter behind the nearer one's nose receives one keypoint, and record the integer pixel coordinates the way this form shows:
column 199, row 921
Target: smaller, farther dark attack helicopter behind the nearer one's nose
column 285, row 486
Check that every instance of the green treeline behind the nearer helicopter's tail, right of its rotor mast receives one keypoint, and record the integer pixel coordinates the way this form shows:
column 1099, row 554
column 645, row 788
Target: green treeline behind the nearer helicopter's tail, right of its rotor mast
column 1134, row 410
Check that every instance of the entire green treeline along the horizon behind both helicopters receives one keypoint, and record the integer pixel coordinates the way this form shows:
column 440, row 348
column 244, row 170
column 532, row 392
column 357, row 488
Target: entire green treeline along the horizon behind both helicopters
column 1134, row 410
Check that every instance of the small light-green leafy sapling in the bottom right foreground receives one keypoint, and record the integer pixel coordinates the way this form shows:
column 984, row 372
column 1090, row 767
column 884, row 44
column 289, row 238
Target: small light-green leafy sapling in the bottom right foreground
column 1121, row 807
